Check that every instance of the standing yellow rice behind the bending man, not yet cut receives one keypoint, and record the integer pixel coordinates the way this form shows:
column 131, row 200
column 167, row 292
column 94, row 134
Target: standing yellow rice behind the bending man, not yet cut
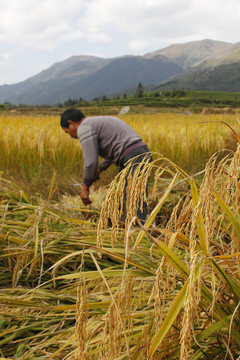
column 33, row 148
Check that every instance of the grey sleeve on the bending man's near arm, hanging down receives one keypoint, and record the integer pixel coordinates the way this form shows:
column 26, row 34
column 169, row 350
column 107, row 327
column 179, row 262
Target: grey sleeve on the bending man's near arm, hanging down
column 89, row 143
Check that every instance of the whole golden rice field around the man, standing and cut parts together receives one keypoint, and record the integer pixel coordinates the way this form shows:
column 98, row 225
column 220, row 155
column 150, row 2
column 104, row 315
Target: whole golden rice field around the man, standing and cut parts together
column 75, row 287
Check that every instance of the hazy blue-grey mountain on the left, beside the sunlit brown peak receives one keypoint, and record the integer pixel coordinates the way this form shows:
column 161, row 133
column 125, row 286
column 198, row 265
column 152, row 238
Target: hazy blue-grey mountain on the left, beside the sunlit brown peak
column 89, row 79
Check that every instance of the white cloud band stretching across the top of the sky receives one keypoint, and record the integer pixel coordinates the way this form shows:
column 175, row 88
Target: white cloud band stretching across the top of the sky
column 46, row 23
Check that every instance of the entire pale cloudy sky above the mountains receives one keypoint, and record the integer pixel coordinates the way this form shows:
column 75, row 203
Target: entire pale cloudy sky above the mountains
column 35, row 34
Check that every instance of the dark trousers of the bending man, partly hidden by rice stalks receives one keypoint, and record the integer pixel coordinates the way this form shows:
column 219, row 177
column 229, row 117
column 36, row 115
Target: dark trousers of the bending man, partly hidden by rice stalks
column 138, row 155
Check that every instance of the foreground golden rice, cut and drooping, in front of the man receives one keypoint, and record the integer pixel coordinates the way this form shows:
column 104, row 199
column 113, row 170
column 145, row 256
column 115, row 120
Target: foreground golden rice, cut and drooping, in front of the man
column 77, row 285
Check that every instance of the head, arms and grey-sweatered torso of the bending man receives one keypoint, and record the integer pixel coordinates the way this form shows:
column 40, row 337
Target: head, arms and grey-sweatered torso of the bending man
column 108, row 137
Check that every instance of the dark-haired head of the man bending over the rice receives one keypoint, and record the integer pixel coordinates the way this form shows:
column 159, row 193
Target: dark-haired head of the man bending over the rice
column 70, row 120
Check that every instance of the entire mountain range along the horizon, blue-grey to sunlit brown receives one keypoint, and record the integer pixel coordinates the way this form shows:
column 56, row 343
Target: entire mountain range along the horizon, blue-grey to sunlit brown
column 198, row 65
